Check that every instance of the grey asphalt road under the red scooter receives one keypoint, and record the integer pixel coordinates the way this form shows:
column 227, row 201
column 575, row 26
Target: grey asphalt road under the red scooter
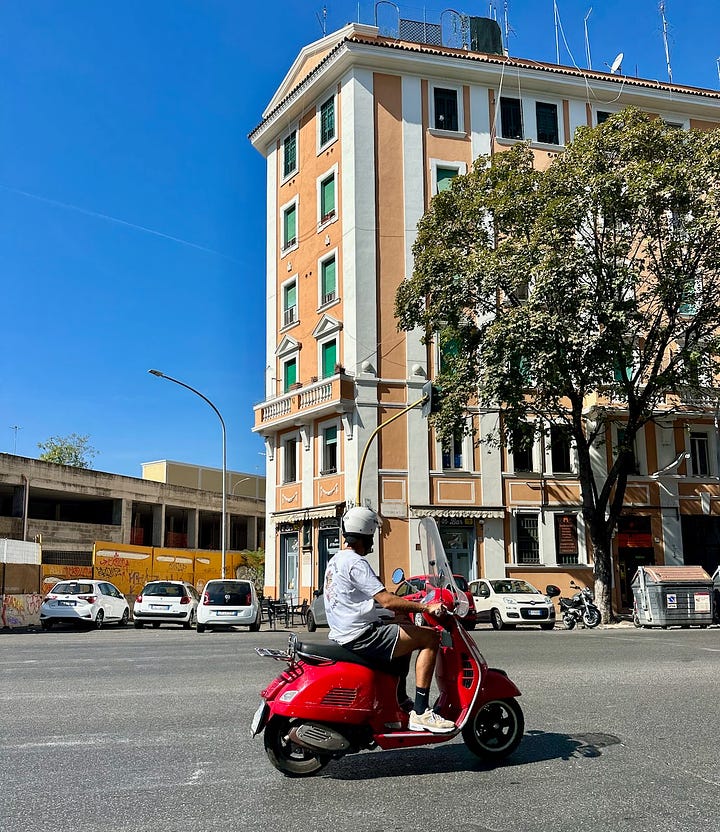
column 148, row 730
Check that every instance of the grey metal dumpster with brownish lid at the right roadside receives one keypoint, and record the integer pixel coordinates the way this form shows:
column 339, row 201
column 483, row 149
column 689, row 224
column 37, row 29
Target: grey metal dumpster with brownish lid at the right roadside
column 672, row 596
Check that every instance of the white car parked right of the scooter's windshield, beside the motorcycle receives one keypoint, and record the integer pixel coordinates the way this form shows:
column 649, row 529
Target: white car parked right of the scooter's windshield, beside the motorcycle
column 509, row 602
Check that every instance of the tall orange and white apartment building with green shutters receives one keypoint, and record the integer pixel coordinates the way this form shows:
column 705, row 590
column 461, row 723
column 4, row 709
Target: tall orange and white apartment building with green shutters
column 363, row 131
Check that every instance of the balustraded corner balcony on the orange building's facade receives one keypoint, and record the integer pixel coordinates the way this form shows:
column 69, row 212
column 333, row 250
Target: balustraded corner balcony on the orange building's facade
column 319, row 399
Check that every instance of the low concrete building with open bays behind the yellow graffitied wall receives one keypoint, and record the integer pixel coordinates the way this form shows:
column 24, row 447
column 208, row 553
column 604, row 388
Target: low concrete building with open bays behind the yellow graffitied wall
column 175, row 505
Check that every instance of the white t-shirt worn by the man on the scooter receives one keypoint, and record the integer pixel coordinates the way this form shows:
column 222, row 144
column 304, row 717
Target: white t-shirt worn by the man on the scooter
column 350, row 585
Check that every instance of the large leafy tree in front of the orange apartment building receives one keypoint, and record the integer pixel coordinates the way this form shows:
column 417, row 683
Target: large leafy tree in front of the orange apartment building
column 578, row 295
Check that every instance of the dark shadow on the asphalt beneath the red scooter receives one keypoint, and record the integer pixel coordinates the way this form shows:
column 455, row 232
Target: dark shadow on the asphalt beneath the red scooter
column 536, row 747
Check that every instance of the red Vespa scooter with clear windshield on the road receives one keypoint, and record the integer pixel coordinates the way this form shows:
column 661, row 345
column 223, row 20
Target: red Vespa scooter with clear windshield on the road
column 330, row 702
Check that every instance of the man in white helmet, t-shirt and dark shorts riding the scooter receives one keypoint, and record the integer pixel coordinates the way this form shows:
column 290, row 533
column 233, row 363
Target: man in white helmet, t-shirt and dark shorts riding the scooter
column 353, row 594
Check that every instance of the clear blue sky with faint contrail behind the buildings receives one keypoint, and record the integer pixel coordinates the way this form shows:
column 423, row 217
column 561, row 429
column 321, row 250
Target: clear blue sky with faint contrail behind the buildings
column 132, row 204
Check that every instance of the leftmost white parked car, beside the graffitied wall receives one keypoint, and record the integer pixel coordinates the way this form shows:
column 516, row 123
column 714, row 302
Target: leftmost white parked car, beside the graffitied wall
column 84, row 601
